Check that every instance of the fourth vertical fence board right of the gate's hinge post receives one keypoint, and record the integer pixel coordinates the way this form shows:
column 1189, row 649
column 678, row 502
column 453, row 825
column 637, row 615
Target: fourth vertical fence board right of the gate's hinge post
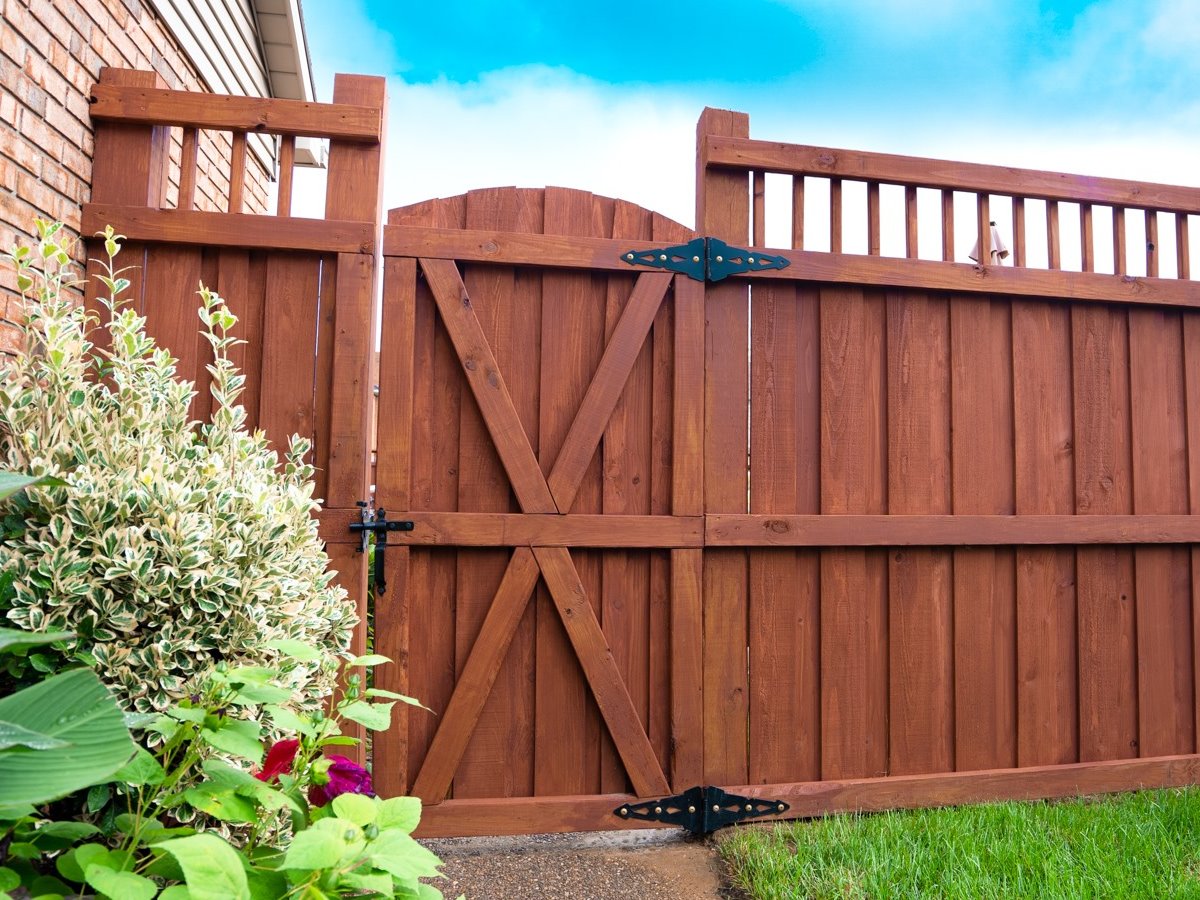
column 985, row 579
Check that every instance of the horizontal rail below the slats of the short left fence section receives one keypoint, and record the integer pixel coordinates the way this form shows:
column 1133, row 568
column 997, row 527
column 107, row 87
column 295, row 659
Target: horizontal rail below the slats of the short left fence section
column 226, row 230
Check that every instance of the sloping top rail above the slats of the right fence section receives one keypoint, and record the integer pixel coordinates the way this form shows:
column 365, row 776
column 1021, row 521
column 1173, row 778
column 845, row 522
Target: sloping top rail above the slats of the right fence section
column 920, row 172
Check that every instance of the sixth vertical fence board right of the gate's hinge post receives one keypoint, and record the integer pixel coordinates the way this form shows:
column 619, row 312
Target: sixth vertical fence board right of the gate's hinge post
column 1108, row 676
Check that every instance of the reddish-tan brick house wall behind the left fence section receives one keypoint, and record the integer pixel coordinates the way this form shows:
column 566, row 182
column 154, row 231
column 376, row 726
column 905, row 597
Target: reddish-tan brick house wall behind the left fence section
column 51, row 55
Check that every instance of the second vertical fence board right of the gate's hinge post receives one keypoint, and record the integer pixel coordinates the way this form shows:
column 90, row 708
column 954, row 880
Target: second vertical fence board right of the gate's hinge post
column 854, row 583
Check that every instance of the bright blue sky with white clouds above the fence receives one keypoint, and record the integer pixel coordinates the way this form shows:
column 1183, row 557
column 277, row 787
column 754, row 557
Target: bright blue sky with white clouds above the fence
column 607, row 97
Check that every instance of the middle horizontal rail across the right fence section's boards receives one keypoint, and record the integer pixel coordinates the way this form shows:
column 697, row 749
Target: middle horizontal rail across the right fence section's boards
column 765, row 531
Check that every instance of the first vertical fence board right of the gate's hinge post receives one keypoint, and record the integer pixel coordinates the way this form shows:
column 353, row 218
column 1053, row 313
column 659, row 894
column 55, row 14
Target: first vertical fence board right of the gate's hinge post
column 784, row 631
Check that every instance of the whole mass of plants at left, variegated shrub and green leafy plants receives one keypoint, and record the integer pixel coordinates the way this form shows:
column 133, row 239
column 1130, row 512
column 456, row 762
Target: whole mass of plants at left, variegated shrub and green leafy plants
column 169, row 723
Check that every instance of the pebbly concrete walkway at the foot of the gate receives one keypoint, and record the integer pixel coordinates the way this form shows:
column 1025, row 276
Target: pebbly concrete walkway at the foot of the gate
column 661, row 865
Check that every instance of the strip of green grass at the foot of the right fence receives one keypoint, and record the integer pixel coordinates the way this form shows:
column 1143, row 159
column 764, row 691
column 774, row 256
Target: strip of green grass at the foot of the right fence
column 1142, row 845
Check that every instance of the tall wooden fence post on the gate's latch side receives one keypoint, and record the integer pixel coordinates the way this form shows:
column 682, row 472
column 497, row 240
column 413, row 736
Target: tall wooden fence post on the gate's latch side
column 355, row 193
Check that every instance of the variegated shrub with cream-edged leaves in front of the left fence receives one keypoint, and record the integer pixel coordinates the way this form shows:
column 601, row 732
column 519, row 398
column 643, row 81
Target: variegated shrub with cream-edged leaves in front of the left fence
column 173, row 545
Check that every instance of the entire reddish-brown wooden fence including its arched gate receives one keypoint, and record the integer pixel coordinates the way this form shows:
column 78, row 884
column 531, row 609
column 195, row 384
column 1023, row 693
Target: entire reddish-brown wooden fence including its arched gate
column 859, row 532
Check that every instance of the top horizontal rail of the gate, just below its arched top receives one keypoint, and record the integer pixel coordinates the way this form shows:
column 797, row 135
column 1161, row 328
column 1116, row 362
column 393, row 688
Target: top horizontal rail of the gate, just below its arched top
column 509, row 249
